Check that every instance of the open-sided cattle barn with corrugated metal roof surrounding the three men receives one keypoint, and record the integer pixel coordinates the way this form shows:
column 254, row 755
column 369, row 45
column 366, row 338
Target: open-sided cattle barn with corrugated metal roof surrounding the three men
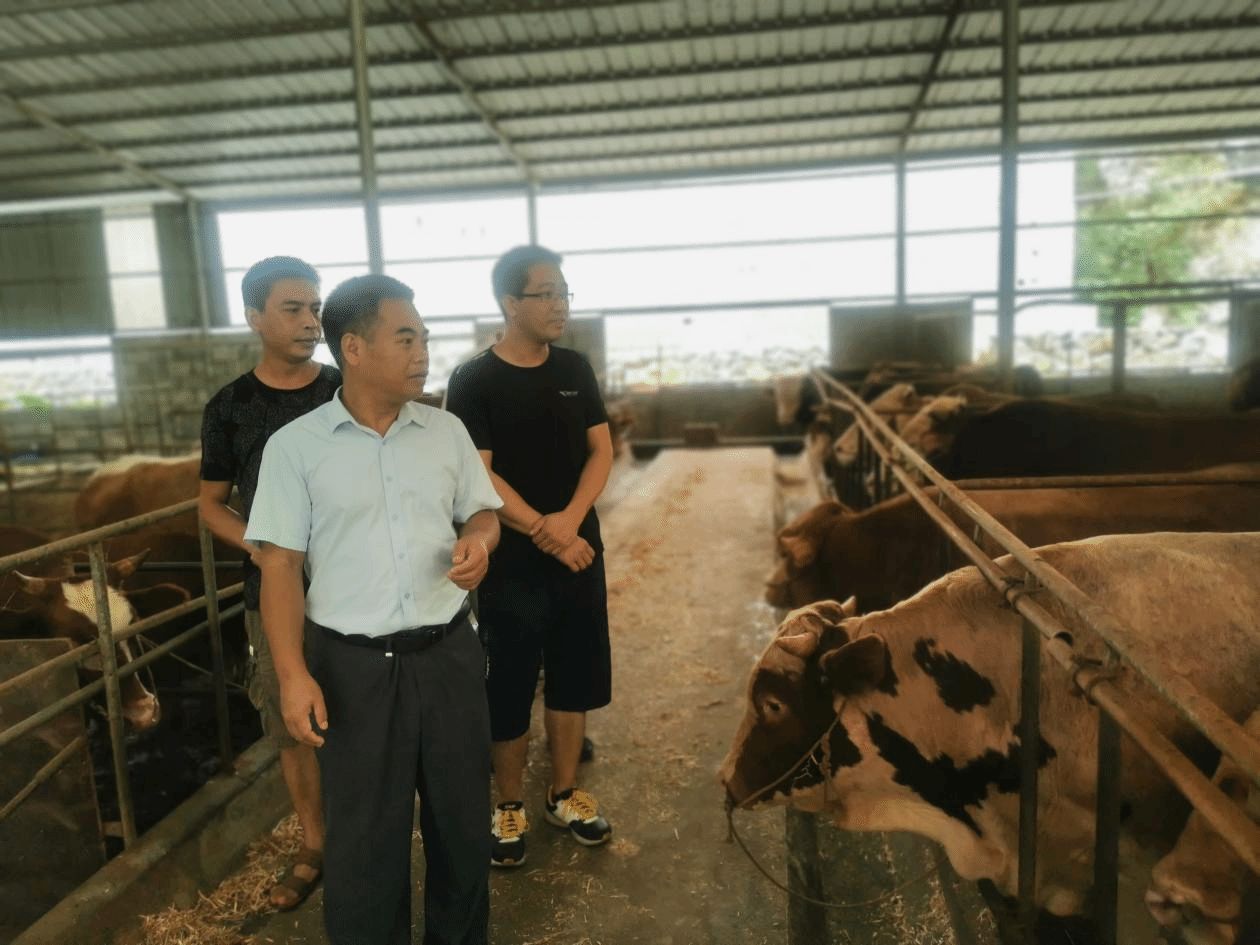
column 1022, row 234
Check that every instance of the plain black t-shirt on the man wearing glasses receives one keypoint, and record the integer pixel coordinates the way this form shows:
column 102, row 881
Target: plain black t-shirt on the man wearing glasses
column 535, row 421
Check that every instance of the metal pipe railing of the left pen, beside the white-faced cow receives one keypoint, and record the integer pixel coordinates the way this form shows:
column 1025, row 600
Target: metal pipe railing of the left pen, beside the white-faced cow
column 105, row 650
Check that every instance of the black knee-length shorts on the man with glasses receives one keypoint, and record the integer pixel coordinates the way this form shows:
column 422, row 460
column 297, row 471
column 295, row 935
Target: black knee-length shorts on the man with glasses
column 556, row 624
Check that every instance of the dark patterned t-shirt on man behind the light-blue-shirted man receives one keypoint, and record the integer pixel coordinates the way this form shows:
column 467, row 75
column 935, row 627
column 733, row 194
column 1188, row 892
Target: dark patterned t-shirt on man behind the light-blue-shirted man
column 236, row 427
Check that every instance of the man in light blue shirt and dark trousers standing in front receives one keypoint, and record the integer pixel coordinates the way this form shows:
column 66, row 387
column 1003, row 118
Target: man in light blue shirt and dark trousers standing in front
column 387, row 507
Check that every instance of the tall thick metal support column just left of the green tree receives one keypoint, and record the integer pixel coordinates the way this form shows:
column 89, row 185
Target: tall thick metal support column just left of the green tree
column 1010, row 180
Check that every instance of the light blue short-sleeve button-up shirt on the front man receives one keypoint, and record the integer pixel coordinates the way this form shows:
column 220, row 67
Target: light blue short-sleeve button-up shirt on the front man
column 375, row 515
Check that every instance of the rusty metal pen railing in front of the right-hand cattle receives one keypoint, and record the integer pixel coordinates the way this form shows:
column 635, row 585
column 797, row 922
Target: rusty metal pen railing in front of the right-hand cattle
column 885, row 458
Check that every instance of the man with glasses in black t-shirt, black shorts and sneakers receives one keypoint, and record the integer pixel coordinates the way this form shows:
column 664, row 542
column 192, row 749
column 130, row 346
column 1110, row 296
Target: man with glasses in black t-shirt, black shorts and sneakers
column 536, row 416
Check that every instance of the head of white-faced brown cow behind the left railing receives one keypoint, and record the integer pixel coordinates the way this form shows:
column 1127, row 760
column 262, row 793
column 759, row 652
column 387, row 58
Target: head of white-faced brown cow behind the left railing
column 64, row 605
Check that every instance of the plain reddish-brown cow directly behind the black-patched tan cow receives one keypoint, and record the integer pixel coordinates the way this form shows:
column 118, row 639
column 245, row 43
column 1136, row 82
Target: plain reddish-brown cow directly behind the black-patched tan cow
column 891, row 550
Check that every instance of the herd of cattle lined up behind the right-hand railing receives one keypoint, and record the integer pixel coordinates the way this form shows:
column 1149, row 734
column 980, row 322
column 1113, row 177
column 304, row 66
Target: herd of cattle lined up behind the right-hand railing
column 899, row 709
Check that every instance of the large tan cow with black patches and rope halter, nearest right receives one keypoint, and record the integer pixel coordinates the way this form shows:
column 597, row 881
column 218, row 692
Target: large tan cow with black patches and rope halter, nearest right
column 907, row 719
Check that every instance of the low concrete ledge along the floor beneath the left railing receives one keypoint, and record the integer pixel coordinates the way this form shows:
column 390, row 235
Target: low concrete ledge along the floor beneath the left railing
column 193, row 849
